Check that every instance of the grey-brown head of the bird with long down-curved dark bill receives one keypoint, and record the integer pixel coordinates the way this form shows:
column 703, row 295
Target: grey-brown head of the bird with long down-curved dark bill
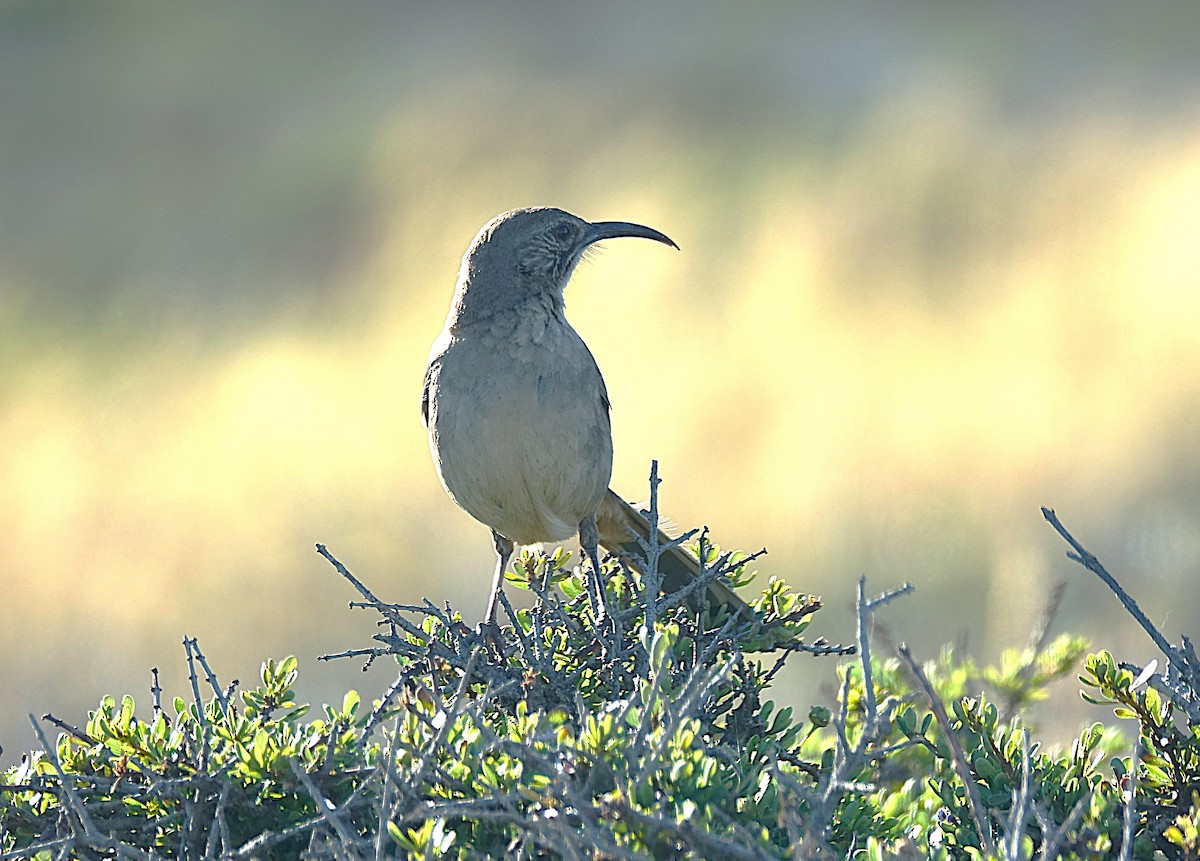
column 531, row 252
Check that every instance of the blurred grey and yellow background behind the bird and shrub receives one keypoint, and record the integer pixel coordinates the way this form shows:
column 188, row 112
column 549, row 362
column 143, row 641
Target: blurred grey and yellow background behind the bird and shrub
column 941, row 267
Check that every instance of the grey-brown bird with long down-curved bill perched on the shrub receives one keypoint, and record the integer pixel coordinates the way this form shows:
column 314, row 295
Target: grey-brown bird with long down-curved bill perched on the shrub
column 517, row 408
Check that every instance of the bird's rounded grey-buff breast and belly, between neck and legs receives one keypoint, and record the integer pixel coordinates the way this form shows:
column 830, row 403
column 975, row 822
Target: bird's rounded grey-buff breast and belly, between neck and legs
column 519, row 428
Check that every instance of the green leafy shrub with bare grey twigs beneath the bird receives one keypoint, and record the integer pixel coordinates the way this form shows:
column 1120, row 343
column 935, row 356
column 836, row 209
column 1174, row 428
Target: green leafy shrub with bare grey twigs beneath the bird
column 554, row 738
